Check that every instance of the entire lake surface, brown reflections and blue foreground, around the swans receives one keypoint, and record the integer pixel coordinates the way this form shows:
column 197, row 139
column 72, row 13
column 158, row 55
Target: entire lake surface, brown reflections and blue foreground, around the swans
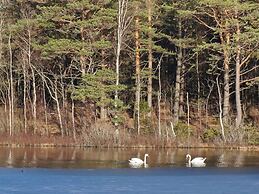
column 80, row 171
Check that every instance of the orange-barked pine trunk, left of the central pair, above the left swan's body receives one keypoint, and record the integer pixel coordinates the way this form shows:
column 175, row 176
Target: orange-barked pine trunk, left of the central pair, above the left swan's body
column 137, row 61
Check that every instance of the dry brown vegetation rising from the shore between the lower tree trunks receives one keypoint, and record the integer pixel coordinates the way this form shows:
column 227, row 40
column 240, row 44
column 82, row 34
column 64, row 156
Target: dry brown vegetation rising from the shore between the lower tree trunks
column 202, row 132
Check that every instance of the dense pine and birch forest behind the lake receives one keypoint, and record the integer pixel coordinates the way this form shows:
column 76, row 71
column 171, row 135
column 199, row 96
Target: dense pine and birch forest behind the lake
column 119, row 72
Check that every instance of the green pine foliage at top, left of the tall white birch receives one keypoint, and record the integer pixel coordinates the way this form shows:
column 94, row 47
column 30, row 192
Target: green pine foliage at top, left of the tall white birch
column 67, row 24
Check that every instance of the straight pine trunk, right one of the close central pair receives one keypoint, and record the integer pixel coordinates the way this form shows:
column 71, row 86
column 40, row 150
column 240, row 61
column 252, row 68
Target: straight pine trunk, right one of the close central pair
column 150, row 58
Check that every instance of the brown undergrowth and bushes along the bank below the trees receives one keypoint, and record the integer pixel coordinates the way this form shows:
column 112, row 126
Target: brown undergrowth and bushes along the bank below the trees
column 103, row 133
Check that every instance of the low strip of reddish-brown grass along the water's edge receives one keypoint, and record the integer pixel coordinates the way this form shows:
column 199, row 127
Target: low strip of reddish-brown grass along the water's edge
column 141, row 142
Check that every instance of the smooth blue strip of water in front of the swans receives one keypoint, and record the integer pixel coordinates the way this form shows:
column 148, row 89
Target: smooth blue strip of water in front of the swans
column 151, row 180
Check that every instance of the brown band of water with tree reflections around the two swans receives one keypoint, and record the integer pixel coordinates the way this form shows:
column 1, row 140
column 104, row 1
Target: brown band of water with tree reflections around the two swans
column 92, row 158
